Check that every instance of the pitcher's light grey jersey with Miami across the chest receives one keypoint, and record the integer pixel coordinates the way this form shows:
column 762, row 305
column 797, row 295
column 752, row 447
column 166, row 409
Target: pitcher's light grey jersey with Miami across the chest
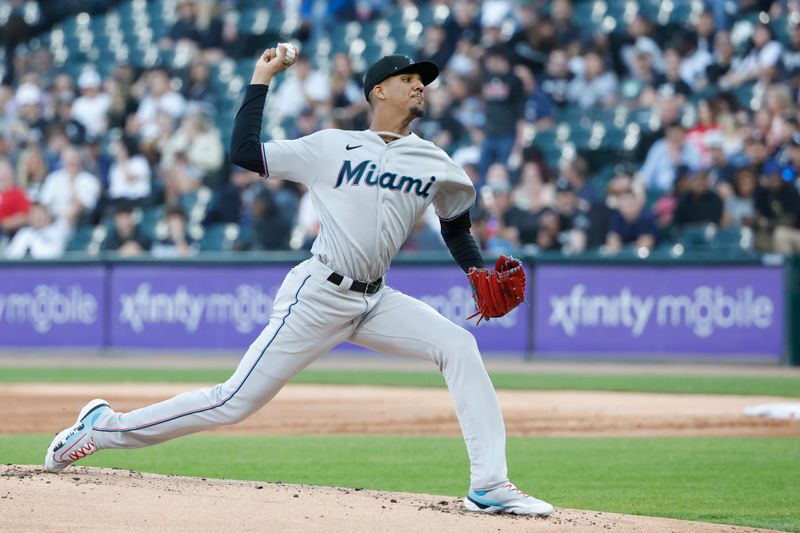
column 368, row 193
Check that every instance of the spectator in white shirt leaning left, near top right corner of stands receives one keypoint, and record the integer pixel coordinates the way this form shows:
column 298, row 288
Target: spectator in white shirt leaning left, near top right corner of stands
column 760, row 62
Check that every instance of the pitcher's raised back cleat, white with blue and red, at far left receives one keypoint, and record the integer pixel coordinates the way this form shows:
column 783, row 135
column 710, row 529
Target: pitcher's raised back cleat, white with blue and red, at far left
column 76, row 441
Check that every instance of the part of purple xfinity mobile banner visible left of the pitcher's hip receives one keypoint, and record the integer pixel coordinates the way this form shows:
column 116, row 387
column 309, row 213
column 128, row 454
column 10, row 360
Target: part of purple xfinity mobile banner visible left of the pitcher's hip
column 177, row 306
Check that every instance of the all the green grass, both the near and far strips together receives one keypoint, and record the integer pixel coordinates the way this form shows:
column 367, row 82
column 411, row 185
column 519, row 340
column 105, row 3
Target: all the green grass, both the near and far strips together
column 744, row 481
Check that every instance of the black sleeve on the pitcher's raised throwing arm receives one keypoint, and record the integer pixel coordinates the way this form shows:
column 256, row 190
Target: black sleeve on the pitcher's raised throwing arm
column 246, row 136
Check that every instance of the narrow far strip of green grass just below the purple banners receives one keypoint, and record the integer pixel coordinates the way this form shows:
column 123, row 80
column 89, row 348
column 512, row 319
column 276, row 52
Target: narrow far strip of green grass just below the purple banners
column 681, row 384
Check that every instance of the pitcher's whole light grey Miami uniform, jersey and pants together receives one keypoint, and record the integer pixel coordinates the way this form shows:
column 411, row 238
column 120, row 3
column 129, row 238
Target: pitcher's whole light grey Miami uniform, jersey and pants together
column 368, row 195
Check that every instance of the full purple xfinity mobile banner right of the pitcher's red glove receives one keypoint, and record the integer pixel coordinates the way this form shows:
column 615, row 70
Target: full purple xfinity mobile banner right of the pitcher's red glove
column 698, row 311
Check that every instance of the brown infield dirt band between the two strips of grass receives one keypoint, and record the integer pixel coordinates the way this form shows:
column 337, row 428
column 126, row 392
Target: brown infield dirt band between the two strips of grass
column 337, row 409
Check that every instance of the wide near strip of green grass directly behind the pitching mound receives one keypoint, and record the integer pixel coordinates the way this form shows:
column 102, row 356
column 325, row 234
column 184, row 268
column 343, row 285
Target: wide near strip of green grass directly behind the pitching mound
column 745, row 481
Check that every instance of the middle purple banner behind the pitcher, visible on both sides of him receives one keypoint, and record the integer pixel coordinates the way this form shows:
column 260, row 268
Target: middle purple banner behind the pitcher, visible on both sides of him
column 197, row 307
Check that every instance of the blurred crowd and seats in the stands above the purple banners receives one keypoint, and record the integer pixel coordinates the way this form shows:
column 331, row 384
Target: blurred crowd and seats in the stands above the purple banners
column 587, row 126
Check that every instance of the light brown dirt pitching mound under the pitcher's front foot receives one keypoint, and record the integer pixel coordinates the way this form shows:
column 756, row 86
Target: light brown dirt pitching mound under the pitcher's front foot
column 99, row 499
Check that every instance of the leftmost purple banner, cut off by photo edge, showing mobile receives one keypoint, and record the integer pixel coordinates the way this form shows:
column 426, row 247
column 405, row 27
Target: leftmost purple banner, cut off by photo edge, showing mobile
column 52, row 306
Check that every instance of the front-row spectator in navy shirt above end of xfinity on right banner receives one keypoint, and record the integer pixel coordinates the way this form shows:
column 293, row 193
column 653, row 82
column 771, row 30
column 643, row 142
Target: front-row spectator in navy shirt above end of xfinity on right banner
column 632, row 224
